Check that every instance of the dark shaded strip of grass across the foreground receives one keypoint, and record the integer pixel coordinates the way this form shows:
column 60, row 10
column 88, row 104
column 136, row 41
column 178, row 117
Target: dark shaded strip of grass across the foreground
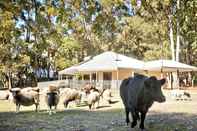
column 84, row 120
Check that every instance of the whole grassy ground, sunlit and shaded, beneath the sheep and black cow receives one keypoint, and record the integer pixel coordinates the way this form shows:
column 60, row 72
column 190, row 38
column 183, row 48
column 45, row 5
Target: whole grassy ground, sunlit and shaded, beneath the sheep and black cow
column 169, row 116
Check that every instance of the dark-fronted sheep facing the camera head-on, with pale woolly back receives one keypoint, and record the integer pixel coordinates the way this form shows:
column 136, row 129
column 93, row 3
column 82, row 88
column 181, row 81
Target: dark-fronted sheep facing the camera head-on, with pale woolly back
column 52, row 97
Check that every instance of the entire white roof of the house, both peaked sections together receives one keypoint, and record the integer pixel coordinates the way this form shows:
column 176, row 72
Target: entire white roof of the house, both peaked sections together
column 110, row 61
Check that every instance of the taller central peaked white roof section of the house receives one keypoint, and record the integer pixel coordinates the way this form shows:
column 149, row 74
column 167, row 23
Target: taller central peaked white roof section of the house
column 111, row 61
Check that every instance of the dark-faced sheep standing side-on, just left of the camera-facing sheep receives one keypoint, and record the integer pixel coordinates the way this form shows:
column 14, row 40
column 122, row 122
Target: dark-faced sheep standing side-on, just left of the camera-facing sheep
column 25, row 97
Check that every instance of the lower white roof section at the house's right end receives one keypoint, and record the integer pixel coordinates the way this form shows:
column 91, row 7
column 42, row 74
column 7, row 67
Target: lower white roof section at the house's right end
column 168, row 66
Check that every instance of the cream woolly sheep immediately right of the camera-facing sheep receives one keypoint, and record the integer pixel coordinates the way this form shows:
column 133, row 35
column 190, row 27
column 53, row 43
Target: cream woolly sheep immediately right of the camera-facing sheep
column 69, row 95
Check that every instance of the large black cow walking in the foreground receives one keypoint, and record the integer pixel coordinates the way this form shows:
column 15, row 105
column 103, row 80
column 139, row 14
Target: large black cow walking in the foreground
column 138, row 94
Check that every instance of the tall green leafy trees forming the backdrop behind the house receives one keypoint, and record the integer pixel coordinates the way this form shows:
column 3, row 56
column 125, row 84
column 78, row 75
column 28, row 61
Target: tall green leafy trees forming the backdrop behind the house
column 58, row 34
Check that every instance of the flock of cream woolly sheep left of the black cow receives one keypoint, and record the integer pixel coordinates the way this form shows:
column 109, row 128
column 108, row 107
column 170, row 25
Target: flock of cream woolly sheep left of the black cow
column 31, row 96
